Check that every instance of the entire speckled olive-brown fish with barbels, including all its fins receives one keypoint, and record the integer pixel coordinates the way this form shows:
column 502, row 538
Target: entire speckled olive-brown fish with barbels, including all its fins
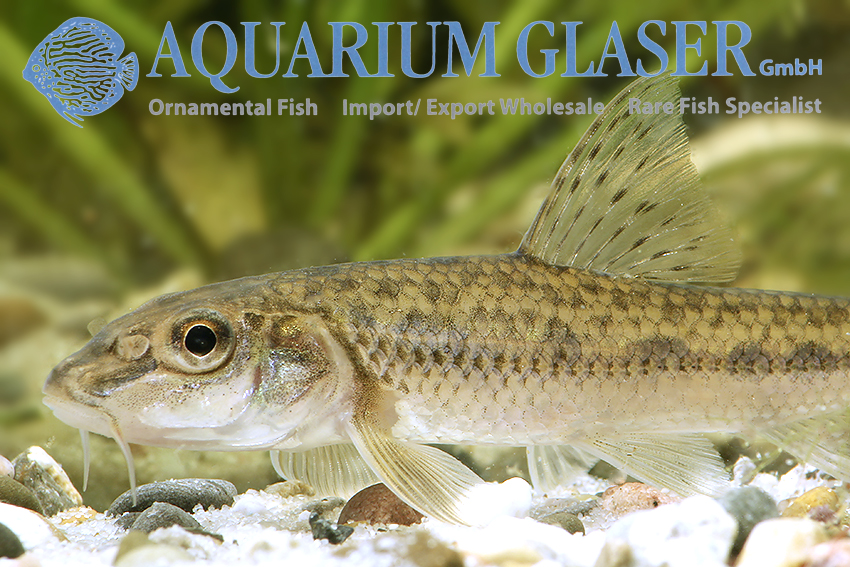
column 589, row 342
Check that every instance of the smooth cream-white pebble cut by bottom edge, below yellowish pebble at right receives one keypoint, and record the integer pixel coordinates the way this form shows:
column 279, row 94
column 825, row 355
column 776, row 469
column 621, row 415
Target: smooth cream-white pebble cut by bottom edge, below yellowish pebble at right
column 782, row 542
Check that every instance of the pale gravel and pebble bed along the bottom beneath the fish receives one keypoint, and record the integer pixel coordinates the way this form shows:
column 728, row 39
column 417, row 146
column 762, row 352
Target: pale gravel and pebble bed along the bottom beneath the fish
column 627, row 525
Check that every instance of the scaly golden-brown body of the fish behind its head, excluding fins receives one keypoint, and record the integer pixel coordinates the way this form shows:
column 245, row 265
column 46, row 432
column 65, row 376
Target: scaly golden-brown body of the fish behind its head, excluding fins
column 594, row 349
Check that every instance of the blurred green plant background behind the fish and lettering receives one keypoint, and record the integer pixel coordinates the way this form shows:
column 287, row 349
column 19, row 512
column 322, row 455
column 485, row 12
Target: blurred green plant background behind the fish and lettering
column 93, row 221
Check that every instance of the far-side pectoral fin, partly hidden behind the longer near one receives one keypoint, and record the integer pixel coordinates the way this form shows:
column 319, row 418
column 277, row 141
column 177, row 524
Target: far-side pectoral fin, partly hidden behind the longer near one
column 337, row 470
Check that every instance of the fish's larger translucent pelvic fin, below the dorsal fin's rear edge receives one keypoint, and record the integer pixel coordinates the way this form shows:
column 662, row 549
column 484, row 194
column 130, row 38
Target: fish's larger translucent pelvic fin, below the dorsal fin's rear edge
column 685, row 463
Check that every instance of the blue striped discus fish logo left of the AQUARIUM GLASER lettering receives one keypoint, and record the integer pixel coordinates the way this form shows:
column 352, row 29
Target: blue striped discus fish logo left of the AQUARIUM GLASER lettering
column 77, row 67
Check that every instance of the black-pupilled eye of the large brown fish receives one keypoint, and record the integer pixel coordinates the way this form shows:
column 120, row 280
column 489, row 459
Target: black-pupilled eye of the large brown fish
column 201, row 340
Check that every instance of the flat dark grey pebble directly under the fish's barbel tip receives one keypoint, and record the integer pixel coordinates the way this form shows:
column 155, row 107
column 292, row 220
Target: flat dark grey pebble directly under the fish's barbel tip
column 184, row 493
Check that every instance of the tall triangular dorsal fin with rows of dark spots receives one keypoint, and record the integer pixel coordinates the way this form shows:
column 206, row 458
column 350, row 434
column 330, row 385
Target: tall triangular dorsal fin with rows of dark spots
column 628, row 200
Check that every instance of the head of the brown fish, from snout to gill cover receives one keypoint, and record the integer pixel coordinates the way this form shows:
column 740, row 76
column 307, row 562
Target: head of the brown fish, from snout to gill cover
column 212, row 368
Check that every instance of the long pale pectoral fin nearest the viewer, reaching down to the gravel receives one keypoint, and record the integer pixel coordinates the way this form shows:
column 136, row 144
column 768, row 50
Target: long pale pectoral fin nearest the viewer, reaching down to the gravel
column 428, row 479
